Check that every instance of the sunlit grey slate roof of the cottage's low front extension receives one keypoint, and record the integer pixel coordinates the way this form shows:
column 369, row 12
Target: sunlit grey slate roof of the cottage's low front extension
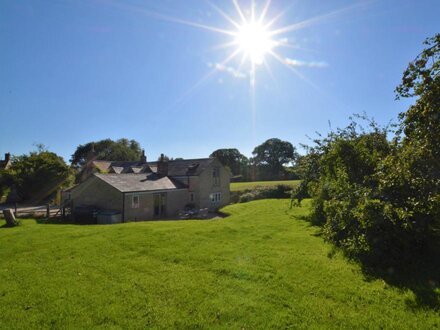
column 131, row 182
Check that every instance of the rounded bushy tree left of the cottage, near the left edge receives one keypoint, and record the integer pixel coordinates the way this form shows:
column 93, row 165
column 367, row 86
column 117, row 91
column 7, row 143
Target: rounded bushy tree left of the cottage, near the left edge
column 38, row 175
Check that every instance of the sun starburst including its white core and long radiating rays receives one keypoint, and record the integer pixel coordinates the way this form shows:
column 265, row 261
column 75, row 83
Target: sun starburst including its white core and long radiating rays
column 256, row 35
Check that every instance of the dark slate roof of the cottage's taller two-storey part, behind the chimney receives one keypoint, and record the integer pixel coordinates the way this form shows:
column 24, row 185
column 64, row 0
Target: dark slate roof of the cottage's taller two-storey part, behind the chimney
column 184, row 167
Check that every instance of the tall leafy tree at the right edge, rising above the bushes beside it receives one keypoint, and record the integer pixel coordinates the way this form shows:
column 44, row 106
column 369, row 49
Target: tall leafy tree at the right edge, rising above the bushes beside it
column 411, row 176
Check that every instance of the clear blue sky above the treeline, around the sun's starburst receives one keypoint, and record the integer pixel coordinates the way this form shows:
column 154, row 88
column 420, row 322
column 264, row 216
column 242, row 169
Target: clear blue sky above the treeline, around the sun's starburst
column 78, row 71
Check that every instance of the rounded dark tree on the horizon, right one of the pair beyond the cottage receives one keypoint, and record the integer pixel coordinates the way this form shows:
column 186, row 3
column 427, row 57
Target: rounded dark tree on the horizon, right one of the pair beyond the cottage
column 274, row 153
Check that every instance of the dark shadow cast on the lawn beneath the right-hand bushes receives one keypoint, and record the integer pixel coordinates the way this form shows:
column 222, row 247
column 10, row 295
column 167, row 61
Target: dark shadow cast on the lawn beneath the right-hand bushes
column 419, row 273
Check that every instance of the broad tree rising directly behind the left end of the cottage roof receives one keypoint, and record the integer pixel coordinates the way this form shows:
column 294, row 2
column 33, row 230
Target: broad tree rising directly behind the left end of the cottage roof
column 122, row 149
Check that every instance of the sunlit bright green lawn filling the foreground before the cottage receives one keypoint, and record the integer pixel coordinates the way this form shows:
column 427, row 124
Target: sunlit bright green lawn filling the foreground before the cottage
column 262, row 267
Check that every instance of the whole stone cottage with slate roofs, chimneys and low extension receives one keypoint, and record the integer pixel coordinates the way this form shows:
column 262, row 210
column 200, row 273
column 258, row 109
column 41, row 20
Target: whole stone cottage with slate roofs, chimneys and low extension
column 151, row 190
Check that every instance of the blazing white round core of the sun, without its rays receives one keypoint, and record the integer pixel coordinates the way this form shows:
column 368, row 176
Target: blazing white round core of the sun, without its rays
column 254, row 41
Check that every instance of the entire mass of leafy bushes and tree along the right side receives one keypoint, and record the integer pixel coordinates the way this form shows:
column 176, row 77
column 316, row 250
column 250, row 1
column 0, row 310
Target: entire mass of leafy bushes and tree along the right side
column 380, row 200
